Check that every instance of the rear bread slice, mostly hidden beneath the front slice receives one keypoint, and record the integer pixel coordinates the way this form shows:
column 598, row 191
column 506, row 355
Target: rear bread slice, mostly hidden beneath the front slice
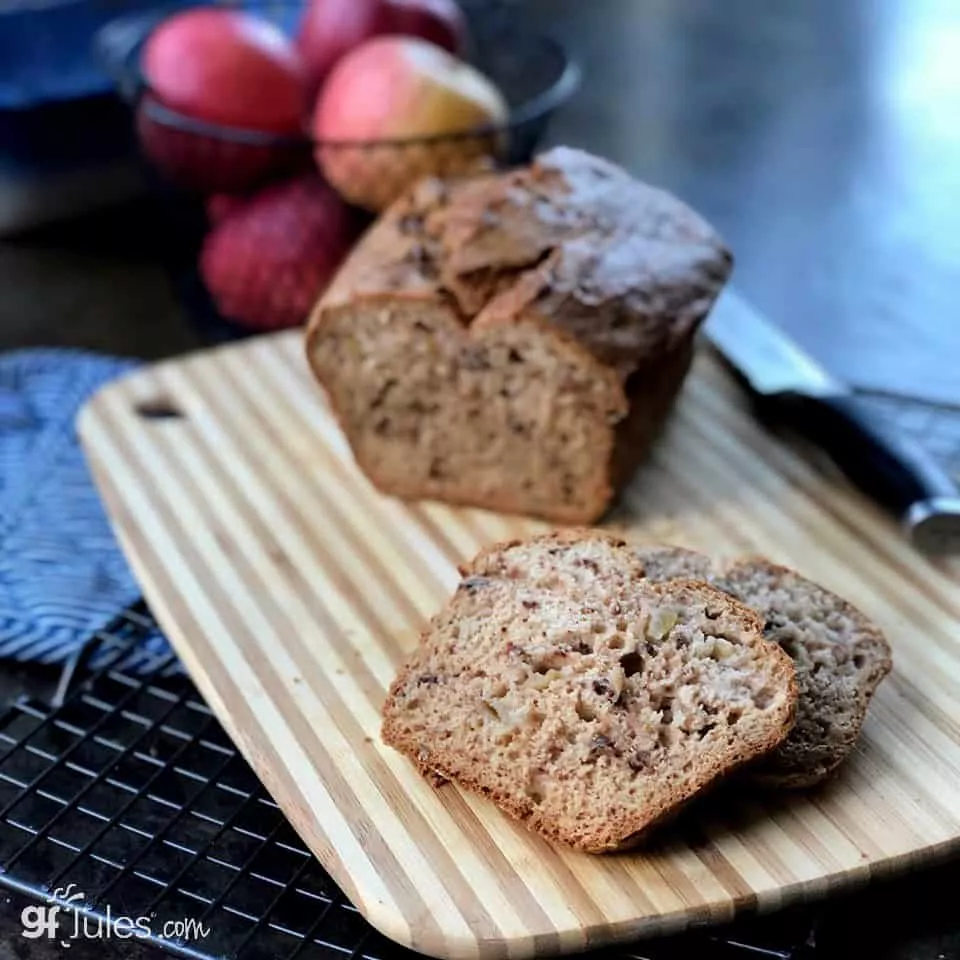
column 840, row 656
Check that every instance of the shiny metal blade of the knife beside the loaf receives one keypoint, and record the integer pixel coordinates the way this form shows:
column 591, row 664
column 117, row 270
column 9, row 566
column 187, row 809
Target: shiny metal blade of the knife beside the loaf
column 769, row 360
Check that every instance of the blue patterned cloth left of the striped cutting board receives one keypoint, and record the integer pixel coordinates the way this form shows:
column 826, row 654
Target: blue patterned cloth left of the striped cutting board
column 62, row 575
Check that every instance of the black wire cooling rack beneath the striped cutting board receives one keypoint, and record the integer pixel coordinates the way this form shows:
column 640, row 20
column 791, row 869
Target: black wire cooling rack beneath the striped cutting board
column 125, row 802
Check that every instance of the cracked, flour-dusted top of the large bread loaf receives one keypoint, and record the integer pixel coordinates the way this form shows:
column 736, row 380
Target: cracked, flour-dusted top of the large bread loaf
column 624, row 268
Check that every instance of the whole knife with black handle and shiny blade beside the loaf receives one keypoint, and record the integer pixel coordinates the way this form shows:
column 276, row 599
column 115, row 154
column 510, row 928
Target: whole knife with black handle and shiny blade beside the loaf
column 790, row 387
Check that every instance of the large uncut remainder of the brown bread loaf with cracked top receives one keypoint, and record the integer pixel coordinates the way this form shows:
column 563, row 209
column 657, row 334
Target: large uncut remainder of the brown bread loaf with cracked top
column 515, row 340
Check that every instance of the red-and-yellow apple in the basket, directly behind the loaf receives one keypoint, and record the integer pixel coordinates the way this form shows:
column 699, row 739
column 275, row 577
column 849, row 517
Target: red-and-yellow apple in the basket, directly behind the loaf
column 401, row 88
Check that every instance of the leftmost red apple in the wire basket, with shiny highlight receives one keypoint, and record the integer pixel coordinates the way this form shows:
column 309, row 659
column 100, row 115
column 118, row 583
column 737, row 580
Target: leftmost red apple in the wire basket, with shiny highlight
column 229, row 69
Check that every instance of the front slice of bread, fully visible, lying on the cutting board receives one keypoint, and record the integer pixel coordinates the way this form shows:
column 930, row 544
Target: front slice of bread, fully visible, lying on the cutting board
column 585, row 701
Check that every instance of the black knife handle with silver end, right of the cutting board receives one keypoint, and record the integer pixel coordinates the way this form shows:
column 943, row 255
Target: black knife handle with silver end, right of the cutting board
column 896, row 472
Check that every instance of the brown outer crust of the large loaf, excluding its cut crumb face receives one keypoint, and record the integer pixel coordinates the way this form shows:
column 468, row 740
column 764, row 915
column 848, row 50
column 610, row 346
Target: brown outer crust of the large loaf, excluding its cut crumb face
column 617, row 274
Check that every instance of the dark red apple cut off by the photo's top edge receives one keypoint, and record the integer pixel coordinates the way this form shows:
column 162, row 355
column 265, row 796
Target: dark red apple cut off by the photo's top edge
column 332, row 28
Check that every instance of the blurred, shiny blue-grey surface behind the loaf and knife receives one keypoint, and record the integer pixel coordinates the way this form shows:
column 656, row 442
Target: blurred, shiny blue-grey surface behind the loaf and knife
column 820, row 137
